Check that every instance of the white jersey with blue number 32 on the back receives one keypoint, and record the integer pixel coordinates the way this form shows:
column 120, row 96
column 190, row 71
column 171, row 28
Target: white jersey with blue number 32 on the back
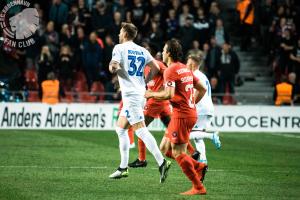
column 133, row 59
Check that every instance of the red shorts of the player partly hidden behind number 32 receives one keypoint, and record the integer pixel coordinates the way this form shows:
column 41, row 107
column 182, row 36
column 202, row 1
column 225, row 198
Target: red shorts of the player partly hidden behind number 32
column 157, row 110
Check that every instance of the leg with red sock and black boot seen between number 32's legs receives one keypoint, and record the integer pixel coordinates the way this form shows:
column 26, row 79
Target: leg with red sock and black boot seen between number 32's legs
column 141, row 160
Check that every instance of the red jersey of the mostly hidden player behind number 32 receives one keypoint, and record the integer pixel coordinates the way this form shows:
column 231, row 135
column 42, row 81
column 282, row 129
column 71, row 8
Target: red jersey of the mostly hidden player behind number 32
column 156, row 84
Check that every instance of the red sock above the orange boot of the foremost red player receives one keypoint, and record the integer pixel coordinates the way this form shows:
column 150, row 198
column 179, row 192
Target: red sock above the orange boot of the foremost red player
column 187, row 167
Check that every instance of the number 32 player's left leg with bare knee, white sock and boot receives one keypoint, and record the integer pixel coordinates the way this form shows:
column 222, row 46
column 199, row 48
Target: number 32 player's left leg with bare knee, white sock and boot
column 122, row 131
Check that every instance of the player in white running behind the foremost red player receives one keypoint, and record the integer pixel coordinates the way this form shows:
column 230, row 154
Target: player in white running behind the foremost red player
column 205, row 112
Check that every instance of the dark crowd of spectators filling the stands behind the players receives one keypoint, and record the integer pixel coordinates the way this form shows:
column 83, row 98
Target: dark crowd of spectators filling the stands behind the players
column 76, row 37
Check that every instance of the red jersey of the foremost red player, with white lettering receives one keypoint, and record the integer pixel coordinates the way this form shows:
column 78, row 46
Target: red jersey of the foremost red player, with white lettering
column 183, row 103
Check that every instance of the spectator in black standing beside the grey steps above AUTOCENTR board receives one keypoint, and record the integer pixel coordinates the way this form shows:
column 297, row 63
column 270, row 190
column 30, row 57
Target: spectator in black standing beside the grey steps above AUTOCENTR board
column 228, row 67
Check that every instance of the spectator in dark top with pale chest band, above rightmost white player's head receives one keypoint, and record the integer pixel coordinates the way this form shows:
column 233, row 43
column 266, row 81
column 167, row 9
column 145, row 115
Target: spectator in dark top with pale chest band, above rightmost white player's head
column 202, row 27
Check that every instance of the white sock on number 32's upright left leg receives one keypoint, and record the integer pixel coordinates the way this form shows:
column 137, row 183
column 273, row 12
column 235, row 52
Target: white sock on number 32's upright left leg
column 123, row 146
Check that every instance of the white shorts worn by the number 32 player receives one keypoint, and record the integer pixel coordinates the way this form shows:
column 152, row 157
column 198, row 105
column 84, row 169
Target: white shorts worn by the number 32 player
column 133, row 109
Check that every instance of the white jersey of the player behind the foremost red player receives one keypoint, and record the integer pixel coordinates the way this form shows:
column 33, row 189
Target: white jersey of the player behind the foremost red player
column 205, row 106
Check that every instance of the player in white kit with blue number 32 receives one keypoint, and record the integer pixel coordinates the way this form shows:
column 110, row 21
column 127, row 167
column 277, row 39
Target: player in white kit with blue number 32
column 128, row 61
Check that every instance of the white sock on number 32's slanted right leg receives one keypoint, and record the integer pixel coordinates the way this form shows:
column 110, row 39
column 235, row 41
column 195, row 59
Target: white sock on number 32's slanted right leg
column 151, row 144
